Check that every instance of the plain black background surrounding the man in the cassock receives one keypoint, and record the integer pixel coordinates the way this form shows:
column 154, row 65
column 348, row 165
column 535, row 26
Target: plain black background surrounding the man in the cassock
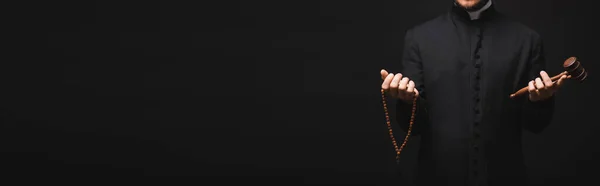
column 283, row 92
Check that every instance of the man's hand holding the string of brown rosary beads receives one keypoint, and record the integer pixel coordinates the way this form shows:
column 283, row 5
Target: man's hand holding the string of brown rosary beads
column 399, row 87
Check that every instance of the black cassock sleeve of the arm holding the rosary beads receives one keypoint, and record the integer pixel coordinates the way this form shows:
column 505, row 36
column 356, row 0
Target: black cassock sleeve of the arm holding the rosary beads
column 412, row 68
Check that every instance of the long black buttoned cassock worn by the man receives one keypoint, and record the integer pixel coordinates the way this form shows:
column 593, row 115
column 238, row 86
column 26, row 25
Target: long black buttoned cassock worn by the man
column 465, row 70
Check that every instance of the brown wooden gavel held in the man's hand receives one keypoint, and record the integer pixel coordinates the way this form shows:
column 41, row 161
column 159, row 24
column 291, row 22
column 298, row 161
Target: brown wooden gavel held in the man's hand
column 573, row 70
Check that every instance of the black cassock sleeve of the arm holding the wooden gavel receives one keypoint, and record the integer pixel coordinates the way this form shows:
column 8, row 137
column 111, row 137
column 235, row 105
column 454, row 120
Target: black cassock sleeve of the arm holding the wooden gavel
column 537, row 115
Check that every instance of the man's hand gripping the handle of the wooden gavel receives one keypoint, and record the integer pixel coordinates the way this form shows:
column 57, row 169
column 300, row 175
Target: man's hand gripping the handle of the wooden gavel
column 543, row 88
